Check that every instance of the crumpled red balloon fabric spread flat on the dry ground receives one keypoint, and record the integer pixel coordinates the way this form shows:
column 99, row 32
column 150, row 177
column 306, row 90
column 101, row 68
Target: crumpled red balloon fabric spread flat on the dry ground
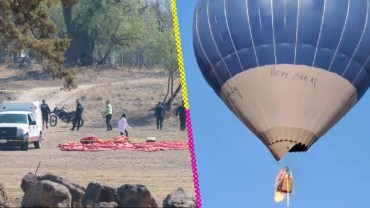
column 120, row 143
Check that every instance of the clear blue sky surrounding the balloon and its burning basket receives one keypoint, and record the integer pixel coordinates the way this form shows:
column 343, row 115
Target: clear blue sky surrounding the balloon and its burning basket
column 236, row 170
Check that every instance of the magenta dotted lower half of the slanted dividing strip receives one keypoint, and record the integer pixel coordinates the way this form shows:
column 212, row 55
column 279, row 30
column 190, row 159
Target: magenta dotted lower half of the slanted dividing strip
column 193, row 159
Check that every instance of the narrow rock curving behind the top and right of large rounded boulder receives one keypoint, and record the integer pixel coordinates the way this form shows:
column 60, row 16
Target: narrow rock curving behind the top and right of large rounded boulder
column 76, row 190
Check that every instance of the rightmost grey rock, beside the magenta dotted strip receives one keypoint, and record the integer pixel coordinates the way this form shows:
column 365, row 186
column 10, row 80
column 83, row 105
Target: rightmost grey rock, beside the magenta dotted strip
column 179, row 198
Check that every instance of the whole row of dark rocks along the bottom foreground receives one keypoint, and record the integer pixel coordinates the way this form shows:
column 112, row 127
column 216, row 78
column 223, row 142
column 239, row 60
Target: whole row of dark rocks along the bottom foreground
column 53, row 191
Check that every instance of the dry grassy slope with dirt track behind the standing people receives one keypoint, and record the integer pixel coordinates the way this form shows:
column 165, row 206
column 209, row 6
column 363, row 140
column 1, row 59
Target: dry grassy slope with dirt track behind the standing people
column 130, row 91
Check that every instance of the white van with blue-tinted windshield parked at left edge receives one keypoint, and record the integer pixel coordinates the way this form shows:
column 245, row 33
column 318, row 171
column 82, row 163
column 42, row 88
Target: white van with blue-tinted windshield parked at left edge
column 20, row 124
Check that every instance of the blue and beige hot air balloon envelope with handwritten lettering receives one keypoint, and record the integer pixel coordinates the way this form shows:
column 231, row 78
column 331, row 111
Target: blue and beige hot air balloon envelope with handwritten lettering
column 289, row 69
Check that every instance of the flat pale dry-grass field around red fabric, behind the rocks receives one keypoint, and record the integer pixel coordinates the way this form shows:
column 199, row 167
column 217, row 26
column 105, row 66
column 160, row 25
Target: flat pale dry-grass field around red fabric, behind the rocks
column 161, row 171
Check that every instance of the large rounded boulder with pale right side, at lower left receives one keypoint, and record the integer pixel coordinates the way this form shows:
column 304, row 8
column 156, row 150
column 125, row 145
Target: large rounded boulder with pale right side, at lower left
column 47, row 194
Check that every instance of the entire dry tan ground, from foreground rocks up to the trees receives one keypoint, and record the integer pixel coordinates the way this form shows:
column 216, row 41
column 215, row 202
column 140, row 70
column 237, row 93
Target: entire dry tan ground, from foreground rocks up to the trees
column 161, row 171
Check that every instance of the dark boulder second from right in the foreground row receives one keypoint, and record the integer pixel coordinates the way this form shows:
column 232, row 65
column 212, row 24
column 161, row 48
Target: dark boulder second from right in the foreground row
column 135, row 196
